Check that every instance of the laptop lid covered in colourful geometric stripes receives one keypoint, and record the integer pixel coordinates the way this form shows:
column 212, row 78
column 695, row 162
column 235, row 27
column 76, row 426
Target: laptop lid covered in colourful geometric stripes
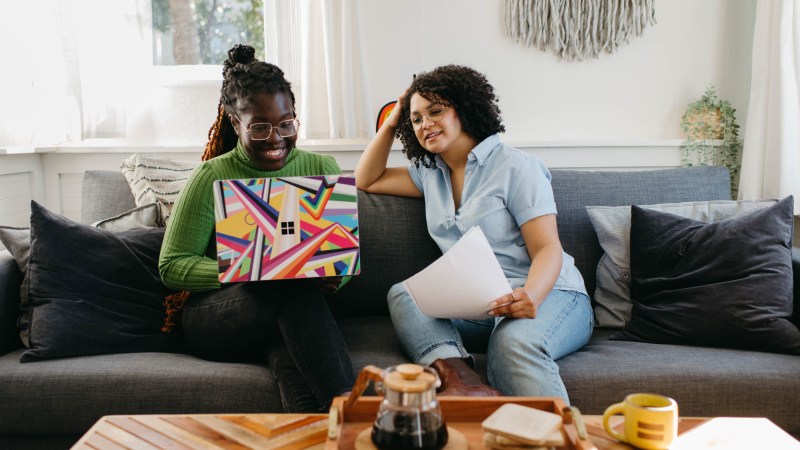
column 286, row 228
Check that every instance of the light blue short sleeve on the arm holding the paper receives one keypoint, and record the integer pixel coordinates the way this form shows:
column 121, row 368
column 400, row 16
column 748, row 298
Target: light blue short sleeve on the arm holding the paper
column 532, row 195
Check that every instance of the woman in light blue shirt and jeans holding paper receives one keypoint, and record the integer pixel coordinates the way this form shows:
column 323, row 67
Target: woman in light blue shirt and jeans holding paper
column 448, row 121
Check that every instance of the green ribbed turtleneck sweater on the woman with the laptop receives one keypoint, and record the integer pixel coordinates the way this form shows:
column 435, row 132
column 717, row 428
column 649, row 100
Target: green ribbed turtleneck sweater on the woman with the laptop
column 188, row 254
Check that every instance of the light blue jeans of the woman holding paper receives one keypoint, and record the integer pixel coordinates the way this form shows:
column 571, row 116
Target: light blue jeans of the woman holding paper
column 521, row 353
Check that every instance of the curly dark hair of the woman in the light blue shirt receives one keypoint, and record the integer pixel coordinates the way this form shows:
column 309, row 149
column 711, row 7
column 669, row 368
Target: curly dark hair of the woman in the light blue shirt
column 465, row 90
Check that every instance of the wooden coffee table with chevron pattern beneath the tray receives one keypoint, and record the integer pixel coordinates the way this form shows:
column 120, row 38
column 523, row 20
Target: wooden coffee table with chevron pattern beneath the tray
column 309, row 431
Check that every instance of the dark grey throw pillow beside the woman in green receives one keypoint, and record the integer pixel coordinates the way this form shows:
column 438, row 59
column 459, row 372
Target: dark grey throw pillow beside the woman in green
column 93, row 291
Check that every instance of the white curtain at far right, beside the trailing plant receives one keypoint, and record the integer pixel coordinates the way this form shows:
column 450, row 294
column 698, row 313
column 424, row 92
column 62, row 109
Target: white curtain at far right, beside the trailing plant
column 771, row 154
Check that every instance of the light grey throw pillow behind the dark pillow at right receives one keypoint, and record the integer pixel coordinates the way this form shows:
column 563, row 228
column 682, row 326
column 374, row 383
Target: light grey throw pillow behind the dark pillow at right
column 613, row 226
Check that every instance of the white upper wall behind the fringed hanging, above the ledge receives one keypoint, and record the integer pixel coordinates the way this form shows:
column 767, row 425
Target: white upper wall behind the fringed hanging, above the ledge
column 637, row 93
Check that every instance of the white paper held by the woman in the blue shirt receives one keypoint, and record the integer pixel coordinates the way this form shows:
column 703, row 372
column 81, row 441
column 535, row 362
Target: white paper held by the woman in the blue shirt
column 461, row 283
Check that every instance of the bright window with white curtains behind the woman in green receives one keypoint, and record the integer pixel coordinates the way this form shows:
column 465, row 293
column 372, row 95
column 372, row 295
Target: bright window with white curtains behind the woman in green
column 149, row 71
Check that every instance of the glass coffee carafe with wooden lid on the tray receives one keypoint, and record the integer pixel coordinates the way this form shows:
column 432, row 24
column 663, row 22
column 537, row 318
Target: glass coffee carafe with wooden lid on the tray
column 409, row 416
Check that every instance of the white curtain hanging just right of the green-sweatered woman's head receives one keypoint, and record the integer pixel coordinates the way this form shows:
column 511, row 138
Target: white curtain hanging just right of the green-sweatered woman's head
column 317, row 44
